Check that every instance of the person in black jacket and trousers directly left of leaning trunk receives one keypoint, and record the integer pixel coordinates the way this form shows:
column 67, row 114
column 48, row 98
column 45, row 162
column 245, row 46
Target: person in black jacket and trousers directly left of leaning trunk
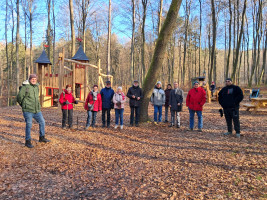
column 135, row 94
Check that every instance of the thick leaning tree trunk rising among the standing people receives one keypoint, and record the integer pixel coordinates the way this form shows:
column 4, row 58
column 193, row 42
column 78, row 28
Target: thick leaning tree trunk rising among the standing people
column 158, row 57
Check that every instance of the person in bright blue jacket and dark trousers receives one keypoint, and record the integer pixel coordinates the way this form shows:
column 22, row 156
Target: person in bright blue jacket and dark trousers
column 107, row 104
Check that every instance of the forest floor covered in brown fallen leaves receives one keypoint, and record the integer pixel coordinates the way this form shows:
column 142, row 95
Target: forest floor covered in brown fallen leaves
column 146, row 162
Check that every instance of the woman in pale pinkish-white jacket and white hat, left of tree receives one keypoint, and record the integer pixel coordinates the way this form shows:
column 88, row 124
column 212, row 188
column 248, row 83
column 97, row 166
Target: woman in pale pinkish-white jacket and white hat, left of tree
column 119, row 99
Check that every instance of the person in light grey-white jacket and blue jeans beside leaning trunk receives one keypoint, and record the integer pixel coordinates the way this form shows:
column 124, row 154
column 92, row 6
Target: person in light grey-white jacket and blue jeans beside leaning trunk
column 158, row 100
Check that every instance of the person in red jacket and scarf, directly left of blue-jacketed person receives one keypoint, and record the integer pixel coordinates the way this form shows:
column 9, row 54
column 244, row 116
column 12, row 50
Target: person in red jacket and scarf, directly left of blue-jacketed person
column 93, row 104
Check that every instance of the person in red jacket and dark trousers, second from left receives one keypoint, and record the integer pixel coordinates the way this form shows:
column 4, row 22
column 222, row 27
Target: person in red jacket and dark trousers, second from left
column 66, row 100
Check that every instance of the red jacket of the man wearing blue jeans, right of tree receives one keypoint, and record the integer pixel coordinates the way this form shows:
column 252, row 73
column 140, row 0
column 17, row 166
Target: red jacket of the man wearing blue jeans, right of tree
column 196, row 98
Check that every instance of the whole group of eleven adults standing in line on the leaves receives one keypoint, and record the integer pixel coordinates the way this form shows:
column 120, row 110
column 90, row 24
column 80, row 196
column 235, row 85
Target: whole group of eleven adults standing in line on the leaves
column 105, row 100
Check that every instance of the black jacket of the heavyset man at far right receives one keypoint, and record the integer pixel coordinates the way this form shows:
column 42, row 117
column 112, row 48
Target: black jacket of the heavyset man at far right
column 230, row 96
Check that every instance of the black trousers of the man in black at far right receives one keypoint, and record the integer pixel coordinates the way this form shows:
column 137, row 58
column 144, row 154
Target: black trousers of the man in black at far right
column 232, row 115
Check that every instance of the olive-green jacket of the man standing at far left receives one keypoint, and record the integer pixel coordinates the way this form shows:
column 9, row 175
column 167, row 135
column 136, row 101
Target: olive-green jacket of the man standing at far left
column 28, row 97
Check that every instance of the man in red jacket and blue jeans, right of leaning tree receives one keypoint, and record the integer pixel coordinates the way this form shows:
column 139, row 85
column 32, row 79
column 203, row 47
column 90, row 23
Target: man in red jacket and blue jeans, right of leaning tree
column 195, row 100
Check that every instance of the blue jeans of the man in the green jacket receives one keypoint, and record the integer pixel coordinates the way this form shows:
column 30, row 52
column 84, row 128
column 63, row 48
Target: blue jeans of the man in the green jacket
column 28, row 119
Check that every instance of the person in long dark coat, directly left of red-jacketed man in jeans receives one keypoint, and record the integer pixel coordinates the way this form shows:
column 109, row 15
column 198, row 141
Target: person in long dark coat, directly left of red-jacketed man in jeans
column 175, row 103
